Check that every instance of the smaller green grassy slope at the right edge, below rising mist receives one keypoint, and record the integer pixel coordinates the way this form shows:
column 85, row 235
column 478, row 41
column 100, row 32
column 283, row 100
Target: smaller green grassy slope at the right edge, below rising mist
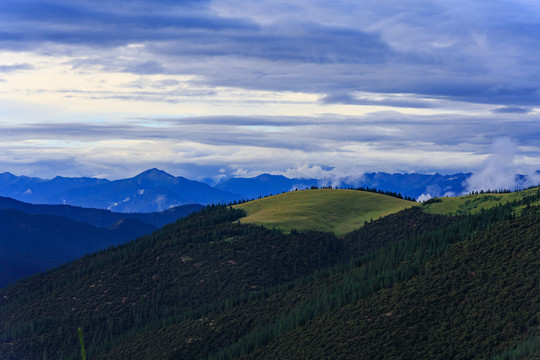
column 472, row 204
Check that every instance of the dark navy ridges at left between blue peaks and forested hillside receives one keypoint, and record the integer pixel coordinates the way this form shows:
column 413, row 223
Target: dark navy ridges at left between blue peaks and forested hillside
column 34, row 238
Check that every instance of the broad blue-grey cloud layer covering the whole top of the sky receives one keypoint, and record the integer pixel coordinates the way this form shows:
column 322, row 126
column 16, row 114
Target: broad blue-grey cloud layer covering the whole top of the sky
column 466, row 51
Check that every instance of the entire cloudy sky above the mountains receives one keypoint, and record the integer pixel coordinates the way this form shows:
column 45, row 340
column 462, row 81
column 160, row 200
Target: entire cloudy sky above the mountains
column 225, row 88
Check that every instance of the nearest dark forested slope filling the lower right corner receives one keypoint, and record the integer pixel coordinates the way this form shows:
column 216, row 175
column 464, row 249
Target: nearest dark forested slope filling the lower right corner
column 477, row 300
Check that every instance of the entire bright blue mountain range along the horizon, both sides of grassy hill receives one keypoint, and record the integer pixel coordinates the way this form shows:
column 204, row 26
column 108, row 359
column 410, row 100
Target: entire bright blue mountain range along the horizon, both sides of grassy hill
column 156, row 190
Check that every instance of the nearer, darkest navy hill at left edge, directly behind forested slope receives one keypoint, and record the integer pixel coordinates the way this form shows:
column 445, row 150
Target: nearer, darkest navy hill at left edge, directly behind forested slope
column 33, row 243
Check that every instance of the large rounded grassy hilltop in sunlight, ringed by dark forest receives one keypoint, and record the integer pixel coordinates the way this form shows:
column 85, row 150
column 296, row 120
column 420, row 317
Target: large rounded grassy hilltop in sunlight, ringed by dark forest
column 331, row 210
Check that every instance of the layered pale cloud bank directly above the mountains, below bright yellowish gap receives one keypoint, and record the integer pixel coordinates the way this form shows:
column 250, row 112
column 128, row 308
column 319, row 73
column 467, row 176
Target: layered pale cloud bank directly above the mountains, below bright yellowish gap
column 387, row 141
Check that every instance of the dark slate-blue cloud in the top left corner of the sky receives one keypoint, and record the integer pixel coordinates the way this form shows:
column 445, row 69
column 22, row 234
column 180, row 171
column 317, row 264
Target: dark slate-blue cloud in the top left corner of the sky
column 82, row 22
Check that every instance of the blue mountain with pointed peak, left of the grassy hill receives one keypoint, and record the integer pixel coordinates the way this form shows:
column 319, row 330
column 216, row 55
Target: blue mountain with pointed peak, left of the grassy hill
column 152, row 190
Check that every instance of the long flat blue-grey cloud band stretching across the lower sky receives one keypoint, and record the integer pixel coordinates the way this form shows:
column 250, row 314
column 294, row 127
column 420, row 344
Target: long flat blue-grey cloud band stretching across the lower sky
column 391, row 130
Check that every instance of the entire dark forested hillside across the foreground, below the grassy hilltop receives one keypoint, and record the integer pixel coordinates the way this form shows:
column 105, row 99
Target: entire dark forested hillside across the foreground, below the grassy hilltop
column 409, row 285
